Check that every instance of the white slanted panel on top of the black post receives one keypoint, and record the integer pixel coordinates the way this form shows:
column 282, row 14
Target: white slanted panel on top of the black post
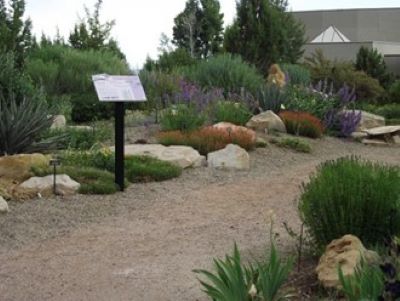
column 118, row 88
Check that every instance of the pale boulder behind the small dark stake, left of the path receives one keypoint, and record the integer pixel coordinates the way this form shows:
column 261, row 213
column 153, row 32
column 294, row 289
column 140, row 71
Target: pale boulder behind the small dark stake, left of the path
column 44, row 185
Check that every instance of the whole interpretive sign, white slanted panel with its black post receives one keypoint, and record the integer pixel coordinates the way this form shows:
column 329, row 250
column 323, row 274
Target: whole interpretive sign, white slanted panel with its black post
column 119, row 89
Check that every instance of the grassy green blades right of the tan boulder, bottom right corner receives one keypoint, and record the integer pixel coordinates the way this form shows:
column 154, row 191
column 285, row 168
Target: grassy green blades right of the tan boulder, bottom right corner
column 366, row 284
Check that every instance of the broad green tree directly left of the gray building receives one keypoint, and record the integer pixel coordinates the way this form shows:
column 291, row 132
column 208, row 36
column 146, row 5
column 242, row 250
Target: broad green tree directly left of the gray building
column 264, row 32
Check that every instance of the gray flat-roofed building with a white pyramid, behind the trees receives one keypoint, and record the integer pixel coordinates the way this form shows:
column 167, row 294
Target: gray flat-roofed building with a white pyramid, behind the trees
column 341, row 33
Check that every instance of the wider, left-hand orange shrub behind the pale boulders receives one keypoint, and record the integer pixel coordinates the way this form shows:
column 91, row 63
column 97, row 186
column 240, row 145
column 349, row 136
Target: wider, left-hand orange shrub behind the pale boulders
column 208, row 139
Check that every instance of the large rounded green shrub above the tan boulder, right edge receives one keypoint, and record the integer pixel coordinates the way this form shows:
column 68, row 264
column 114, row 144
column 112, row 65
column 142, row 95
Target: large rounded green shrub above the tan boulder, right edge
column 352, row 196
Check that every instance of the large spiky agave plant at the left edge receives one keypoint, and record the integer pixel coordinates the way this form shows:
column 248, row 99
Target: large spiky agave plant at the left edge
column 21, row 125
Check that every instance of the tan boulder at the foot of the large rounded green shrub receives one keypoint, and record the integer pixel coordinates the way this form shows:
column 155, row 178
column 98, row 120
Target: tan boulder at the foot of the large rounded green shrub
column 346, row 252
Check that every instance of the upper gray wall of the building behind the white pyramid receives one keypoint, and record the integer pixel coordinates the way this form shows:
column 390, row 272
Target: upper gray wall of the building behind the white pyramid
column 359, row 25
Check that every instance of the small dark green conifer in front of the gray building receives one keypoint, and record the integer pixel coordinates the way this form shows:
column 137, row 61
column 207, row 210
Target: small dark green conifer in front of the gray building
column 372, row 63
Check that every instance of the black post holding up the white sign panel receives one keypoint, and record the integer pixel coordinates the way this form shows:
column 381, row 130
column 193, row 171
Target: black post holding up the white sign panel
column 119, row 145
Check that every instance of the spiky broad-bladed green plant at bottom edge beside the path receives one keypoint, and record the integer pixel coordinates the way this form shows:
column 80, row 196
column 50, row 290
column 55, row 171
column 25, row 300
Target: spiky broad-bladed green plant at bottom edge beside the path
column 234, row 281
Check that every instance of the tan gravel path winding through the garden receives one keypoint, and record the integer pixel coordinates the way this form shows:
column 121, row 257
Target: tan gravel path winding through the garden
column 144, row 243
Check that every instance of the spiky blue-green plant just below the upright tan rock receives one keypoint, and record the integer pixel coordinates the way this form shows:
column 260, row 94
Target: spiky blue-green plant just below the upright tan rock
column 271, row 97
